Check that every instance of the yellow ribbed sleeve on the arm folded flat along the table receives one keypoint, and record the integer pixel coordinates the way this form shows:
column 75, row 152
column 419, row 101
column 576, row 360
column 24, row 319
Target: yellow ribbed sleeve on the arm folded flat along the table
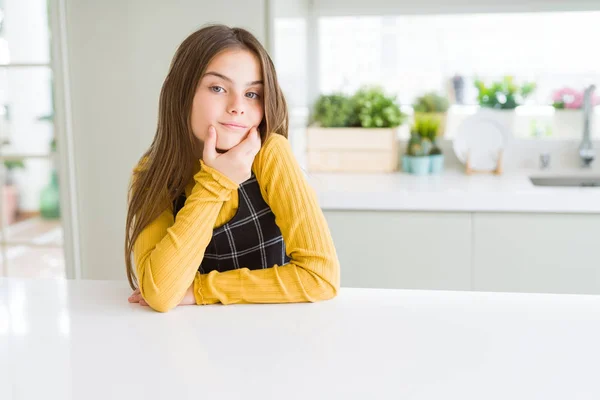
column 313, row 273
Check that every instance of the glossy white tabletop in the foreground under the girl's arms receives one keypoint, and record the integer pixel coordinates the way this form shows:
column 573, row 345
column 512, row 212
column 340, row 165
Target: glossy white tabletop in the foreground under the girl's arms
column 83, row 340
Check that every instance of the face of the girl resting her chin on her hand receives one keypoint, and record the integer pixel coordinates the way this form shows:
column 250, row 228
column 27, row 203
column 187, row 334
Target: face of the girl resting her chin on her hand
column 229, row 97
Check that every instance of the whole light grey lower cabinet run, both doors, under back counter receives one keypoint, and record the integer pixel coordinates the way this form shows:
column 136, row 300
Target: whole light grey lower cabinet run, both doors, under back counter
column 496, row 251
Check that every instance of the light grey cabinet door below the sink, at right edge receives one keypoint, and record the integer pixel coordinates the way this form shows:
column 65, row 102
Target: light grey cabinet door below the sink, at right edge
column 545, row 253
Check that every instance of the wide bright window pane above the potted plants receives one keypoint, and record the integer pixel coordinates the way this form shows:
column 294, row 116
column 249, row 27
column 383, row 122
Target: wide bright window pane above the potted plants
column 412, row 54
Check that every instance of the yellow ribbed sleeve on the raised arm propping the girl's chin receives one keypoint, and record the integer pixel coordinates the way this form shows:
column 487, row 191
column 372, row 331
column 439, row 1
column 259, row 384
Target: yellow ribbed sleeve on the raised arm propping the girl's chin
column 167, row 253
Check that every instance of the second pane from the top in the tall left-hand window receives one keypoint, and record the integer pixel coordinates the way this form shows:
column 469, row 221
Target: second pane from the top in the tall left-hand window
column 26, row 110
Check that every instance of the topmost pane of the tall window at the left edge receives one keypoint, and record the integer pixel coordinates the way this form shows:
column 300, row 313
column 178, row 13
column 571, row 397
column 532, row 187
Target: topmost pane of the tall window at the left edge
column 24, row 32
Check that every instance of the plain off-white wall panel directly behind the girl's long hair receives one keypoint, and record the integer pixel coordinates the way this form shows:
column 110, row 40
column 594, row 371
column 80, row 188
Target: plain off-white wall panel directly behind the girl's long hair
column 119, row 53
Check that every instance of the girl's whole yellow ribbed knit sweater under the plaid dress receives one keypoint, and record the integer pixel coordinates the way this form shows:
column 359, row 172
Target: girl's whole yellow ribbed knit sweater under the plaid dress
column 167, row 254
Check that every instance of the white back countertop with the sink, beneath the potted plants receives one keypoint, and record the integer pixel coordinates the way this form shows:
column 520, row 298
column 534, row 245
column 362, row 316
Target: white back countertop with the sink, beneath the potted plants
column 451, row 191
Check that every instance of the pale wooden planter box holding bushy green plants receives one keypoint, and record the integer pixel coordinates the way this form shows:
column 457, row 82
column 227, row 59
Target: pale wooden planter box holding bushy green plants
column 352, row 149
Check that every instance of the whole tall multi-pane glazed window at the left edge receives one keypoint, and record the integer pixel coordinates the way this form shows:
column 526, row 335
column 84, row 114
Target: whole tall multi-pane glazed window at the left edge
column 31, row 233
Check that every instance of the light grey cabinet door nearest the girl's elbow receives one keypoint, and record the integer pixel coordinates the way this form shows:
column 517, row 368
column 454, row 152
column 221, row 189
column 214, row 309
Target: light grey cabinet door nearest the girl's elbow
column 403, row 250
